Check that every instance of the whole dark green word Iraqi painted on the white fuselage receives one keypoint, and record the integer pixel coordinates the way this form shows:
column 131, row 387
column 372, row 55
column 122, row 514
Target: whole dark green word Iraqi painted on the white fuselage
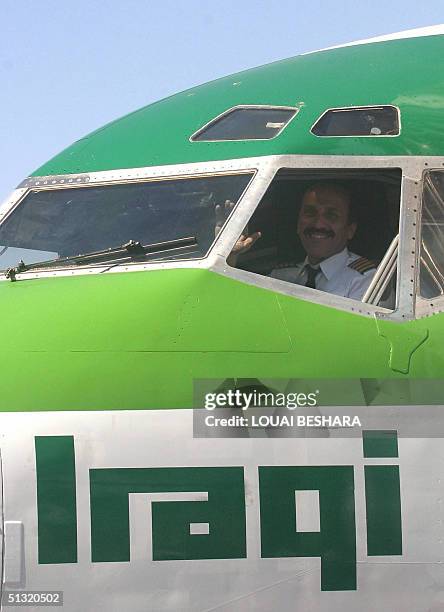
column 224, row 510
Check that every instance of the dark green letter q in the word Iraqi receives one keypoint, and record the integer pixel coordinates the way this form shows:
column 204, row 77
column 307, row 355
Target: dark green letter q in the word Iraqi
column 335, row 543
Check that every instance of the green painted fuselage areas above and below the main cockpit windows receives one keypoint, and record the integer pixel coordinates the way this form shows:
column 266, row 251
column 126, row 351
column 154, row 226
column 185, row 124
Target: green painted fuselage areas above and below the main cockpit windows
column 138, row 340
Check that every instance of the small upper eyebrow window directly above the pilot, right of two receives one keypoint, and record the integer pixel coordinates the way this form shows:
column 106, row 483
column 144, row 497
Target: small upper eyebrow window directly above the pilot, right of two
column 363, row 121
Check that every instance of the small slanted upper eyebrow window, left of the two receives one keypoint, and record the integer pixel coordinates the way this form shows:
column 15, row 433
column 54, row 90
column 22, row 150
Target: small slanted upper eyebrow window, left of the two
column 246, row 123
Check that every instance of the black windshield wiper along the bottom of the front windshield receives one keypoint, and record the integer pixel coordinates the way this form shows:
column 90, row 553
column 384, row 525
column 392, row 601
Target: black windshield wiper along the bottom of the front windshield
column 132, row 249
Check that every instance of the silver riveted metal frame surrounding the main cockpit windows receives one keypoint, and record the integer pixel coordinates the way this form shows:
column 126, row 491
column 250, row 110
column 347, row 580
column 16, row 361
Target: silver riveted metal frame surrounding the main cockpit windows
column 265, row 169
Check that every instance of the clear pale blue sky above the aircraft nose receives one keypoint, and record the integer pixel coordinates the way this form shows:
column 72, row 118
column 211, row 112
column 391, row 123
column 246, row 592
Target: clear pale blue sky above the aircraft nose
column 67, row 67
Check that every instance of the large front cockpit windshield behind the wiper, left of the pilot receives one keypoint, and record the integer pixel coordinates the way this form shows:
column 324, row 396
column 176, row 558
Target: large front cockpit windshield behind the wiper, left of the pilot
column 161, row 220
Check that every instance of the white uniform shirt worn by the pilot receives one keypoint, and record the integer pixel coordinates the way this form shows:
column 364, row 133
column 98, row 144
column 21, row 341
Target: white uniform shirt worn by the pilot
column 335, row 276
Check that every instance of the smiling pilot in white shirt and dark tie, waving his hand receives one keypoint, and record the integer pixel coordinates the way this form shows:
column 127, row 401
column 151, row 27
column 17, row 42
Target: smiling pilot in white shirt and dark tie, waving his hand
column 326, row 224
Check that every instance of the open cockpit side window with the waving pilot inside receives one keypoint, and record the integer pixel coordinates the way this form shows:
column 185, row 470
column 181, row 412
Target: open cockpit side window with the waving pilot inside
column 334, row 231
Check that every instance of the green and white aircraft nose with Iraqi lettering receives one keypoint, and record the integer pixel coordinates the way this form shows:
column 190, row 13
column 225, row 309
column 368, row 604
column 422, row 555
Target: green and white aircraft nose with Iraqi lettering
column 118, row 295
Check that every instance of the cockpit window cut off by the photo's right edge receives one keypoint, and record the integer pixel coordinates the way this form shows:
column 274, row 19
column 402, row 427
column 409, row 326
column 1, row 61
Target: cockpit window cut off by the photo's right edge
column 431, row 279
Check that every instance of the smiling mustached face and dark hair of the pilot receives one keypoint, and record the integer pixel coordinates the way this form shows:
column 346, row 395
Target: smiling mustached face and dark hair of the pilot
column 323, row 225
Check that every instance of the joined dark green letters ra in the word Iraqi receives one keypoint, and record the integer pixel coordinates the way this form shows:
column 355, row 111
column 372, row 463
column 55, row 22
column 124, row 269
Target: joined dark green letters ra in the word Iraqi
column 224, row 511
